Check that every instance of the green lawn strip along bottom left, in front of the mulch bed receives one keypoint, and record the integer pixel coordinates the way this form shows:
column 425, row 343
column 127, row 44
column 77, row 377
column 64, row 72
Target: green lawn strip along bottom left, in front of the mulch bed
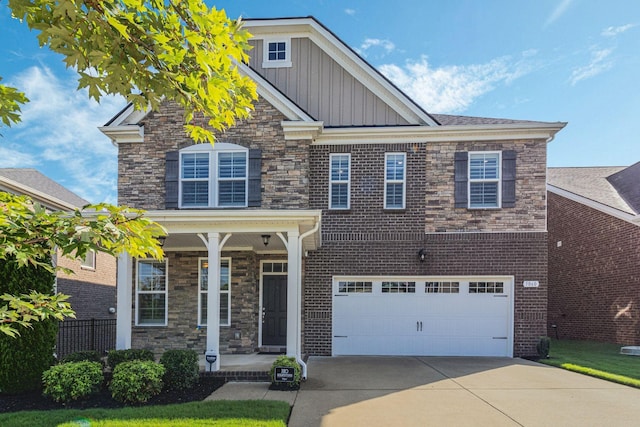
column 247, row 413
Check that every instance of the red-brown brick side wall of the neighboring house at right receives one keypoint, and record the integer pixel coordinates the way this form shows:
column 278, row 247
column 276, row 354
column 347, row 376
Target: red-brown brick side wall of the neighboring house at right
column 594, row 281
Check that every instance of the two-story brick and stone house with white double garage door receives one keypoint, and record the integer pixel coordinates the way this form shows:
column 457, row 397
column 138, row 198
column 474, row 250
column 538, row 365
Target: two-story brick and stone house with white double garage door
column 341, row 219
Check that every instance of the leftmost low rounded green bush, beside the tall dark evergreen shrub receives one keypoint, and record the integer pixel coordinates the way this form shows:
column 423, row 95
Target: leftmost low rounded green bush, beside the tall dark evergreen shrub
column 72, row 381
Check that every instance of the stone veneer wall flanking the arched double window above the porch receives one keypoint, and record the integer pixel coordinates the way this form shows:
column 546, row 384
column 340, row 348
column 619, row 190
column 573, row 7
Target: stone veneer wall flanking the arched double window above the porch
column 285, row 164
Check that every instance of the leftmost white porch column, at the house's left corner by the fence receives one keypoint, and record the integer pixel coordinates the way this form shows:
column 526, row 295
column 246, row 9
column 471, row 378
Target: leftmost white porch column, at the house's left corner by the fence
column 124, row 291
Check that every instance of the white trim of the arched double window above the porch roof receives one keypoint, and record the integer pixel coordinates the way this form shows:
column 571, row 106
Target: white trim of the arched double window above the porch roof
column 213, row 196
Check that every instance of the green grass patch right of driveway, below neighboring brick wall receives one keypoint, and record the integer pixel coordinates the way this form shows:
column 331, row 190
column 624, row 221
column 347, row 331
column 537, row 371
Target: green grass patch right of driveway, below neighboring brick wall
column 600, row 360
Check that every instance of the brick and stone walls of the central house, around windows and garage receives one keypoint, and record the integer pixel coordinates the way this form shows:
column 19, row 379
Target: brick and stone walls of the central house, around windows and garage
column 364, row 240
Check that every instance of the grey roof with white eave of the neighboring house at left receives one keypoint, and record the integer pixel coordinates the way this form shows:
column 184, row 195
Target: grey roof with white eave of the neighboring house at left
column 30, row 182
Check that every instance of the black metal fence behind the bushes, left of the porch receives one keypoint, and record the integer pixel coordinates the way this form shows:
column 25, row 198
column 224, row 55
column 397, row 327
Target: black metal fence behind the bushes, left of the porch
column 81, row 335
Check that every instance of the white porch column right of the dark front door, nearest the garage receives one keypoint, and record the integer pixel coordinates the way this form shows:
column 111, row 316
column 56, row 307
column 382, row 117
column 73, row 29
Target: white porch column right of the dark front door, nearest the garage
column 293, row 289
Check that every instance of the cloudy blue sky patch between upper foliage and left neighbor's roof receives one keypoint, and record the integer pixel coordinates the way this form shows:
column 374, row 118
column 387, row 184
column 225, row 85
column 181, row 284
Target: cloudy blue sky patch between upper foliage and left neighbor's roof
column 58, row 134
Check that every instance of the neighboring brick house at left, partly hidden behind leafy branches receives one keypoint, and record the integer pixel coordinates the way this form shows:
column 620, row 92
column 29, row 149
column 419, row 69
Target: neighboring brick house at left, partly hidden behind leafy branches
column 92, row 287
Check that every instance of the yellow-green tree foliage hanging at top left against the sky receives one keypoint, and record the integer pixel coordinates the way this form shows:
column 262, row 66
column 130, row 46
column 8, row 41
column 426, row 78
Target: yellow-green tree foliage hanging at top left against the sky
column 146, row 51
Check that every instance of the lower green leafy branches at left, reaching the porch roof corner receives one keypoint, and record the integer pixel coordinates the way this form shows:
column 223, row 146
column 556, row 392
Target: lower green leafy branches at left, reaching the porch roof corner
column 30, row 237
